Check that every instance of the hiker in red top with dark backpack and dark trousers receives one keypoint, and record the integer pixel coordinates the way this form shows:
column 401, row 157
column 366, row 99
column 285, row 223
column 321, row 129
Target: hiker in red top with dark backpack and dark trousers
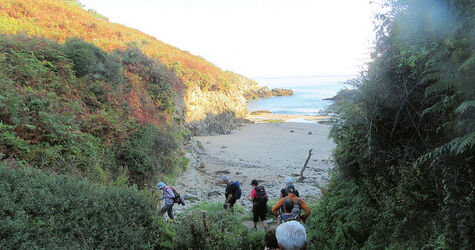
column 259, row 199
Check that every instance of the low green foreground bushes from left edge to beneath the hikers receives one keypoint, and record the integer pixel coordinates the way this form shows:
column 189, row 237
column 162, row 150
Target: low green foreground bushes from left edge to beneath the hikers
column 39, row 210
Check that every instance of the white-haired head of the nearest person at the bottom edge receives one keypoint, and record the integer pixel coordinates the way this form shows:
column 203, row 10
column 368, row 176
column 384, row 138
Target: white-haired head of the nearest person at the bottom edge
column 291, row 236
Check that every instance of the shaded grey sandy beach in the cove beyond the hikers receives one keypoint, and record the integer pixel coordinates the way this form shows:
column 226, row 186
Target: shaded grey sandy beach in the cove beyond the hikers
column 267, row 152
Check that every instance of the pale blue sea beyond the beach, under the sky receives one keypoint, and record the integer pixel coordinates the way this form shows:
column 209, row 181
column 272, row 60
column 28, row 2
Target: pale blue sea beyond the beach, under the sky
column 309, row 92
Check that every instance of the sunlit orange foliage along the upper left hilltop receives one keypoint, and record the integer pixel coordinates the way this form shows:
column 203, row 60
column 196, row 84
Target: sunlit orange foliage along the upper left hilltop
column 60, row 20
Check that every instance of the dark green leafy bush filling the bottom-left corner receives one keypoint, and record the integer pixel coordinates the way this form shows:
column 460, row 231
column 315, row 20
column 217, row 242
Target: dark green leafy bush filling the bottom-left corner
column 39, row 210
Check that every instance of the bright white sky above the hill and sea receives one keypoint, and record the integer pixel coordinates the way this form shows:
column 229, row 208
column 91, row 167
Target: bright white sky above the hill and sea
column 257, row 38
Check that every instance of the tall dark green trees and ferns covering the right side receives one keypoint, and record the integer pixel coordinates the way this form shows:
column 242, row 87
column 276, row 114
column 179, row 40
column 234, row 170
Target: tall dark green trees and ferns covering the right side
column 405, row 174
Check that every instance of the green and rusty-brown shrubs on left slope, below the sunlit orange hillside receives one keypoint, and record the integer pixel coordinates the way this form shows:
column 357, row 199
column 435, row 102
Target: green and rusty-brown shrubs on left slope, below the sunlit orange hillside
column 77, row 109
